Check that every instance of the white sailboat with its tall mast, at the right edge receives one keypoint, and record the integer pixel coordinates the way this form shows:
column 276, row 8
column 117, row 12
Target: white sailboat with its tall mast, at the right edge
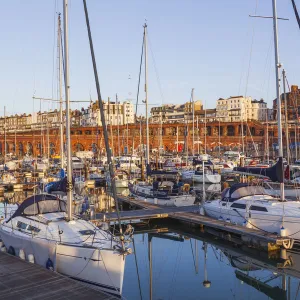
column 248, row 205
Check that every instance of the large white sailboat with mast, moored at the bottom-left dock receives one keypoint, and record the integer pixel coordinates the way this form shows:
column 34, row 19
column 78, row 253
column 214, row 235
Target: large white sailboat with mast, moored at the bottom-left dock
column 44, row 228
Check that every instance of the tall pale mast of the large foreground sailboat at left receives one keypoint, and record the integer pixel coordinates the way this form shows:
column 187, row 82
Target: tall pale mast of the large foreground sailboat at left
column 68, row 125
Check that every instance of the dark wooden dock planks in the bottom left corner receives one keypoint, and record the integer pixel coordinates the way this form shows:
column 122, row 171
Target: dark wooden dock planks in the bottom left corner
column 20, row 280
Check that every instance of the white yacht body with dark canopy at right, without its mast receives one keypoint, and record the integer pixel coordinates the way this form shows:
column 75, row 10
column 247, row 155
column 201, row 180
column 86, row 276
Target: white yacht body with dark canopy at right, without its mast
column 251, row 205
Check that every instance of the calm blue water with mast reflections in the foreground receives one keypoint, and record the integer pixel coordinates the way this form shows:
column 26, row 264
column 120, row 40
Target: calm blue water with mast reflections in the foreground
column 171, row 263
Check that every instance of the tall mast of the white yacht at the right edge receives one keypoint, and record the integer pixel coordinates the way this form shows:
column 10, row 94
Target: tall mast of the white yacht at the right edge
column 277, row 66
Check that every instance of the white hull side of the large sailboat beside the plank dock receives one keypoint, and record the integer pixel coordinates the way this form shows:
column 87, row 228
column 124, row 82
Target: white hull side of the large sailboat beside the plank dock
column 101, row 268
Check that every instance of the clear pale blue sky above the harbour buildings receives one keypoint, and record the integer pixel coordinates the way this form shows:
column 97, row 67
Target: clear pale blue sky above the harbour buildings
column 195, row 44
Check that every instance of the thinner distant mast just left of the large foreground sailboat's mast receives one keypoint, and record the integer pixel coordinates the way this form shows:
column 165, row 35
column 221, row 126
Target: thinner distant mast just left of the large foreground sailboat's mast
column 61, row 125
